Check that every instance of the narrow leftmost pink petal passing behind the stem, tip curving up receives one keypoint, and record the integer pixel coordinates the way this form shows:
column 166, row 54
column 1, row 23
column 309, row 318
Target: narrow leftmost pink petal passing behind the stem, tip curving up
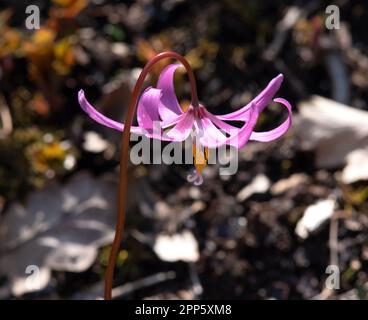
column 100, row 118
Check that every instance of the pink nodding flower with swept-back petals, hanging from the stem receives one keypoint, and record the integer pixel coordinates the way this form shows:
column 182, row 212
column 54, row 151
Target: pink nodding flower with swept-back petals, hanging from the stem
column 160, row 116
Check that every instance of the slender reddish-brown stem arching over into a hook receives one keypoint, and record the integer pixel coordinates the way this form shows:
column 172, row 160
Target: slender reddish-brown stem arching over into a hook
column 109, row 276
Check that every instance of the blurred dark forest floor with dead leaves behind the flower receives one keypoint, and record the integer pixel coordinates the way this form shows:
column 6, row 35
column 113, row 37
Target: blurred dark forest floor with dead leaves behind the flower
column 290, row 224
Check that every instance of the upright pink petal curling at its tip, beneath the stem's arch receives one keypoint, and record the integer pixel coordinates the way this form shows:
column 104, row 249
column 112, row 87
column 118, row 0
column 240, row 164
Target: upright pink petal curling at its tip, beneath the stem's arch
column 169, row 107
